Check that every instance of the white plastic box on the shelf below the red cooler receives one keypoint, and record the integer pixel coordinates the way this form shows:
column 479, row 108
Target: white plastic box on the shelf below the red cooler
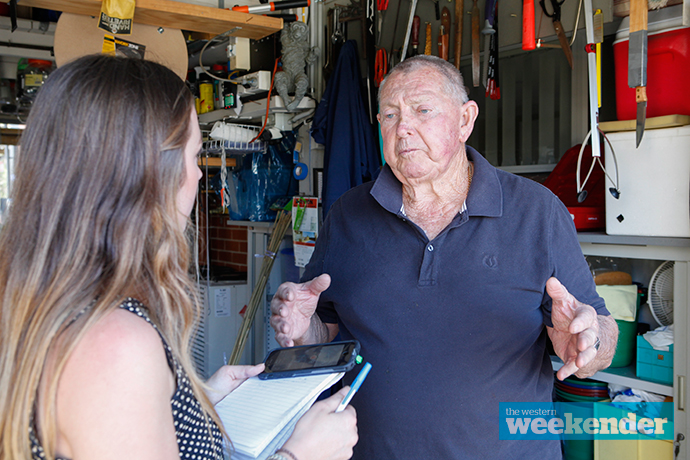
column 654, row 183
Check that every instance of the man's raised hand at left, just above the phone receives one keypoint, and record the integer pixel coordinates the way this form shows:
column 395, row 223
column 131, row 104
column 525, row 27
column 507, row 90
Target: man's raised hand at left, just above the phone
column 292, row 308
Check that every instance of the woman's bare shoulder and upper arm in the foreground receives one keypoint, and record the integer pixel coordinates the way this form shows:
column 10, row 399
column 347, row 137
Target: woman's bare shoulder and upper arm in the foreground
column 114, row 392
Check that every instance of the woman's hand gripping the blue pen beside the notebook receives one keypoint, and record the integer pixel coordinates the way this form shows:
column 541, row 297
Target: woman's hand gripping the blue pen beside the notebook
column 323, row 434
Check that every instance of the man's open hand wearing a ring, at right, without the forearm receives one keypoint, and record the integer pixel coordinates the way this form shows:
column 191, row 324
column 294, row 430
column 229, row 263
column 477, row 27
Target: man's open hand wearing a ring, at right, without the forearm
column 575, row 330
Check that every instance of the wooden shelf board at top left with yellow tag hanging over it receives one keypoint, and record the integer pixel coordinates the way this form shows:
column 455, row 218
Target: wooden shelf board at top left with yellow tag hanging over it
column 178, row 15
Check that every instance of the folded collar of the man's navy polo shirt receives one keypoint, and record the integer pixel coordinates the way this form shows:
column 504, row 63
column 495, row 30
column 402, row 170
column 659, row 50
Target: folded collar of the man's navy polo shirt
column 484, row 199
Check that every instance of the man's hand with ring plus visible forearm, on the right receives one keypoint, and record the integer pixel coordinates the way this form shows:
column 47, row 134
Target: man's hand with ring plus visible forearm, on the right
column 576, row 330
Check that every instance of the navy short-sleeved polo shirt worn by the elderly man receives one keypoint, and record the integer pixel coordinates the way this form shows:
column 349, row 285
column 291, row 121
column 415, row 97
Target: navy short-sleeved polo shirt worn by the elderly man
column 452, row 326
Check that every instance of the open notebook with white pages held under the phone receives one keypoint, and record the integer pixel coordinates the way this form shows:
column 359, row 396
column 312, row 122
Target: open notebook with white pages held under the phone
column 259, row 415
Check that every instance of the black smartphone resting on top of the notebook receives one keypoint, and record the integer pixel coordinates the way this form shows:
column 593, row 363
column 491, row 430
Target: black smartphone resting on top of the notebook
column 310, row 357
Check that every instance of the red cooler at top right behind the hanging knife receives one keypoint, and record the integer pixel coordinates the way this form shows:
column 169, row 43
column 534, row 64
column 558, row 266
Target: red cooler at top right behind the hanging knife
column 668, row 66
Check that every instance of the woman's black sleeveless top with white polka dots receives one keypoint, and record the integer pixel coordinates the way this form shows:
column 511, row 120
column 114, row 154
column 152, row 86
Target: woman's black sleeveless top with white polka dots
column 194, row 440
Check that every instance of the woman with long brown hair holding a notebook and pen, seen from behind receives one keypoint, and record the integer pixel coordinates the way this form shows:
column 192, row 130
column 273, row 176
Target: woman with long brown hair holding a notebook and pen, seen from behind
column 97, row 305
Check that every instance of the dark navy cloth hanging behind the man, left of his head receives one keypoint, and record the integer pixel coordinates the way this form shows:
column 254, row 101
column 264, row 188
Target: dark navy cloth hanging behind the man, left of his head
column 341, row 124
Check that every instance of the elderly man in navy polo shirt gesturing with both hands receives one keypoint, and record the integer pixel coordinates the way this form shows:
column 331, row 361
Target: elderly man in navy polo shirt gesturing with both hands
column 451, row 274
